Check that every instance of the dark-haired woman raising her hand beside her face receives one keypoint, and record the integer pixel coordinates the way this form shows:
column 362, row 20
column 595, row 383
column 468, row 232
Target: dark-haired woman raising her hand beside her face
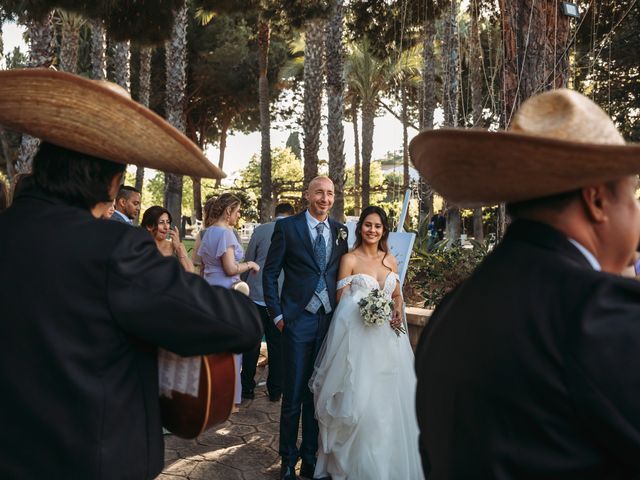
column 157, row 221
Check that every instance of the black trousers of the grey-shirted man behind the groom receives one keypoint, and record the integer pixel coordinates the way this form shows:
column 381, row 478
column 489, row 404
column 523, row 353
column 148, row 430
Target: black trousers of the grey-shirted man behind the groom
column 274, row 351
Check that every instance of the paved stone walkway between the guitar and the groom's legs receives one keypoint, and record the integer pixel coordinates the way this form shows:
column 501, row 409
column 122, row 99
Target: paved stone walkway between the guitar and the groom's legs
column 243, row 448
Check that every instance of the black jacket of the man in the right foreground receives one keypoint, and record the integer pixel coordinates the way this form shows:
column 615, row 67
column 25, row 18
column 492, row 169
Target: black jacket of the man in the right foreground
column 529, row 370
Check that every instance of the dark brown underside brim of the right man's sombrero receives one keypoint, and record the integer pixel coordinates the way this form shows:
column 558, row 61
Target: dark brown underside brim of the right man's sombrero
column 471, row 168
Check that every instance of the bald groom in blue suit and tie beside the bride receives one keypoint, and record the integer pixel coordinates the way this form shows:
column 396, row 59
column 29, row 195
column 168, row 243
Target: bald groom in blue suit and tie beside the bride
column 308, row 247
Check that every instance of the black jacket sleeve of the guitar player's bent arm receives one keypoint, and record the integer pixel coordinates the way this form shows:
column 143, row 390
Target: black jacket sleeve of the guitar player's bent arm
column 154, row 299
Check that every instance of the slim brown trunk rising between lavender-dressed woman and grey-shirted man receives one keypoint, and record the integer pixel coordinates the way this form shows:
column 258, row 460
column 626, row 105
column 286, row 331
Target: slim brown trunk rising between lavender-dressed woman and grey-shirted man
column 264, row 32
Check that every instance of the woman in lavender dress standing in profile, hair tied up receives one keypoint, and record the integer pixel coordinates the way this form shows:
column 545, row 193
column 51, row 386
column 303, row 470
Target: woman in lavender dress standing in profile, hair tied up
column 221, row 255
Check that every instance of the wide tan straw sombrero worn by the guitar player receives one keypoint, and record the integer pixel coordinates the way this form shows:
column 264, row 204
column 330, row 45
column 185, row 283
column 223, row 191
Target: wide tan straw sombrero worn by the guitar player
column 95, row 118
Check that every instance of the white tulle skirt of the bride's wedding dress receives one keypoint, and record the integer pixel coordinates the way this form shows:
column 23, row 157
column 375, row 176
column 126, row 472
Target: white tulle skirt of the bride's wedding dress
column 364, row 393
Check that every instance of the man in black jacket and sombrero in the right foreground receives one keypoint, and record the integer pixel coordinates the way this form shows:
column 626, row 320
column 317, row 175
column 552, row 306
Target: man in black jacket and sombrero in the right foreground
column 527, row 369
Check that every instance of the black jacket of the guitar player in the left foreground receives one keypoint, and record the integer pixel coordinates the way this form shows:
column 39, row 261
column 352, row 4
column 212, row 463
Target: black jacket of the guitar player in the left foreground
column 83, row 305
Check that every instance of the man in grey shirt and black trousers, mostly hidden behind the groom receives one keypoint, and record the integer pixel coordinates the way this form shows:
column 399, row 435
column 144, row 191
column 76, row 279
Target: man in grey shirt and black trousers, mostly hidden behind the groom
column 257, row 251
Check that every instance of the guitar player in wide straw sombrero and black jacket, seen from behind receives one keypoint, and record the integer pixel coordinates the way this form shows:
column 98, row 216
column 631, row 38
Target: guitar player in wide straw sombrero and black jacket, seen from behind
column 82, row 319
